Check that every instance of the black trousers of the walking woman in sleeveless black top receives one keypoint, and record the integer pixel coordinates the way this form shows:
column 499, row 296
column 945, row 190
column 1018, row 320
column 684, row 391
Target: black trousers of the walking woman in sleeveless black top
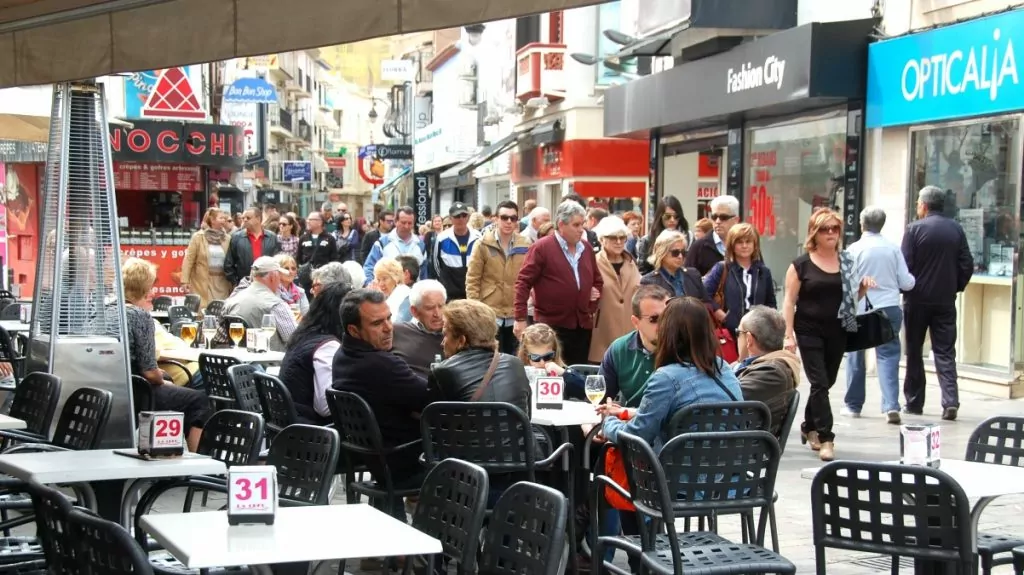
column 822, row 358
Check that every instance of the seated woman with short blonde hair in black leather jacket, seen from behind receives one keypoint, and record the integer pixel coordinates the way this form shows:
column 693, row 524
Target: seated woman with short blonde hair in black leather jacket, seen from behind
column 475, row 370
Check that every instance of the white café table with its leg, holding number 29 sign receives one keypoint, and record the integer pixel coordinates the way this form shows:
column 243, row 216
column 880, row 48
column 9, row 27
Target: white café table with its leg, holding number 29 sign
column 105, row 470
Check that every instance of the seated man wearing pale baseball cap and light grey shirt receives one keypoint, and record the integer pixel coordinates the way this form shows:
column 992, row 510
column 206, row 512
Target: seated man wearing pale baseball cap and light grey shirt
column 262, row 298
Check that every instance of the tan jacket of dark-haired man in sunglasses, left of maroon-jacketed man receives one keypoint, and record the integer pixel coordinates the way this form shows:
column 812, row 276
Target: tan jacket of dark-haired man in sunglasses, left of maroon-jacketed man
column 491, row 275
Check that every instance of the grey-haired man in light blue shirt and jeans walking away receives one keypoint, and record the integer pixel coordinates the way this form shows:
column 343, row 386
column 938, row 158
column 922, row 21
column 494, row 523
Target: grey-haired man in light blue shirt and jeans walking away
column 881, row 260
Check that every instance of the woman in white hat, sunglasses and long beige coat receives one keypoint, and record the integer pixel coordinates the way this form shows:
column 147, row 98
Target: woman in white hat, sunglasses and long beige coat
column 622, row 280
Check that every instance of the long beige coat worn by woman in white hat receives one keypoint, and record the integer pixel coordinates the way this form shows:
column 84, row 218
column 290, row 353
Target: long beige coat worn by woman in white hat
column 616, row 307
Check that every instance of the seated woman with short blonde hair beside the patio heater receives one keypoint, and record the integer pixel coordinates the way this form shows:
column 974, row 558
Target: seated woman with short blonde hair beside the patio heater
column 139, row 277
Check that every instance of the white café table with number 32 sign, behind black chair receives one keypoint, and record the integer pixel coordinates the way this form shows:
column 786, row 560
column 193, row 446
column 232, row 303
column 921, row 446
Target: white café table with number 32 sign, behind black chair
column 984, row 482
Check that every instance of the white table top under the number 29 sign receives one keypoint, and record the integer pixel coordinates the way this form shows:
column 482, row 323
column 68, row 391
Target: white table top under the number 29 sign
column 102, row 465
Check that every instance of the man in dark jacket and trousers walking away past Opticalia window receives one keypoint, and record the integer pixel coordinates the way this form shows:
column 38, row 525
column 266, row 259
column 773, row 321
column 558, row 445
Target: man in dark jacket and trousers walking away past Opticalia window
column 929, row 247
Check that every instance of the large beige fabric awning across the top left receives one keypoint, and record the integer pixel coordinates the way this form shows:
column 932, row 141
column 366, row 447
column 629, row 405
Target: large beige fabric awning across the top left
column 115, row 36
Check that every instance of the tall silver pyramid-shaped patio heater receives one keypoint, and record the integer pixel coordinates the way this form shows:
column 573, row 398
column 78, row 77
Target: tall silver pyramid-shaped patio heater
column 78, row 325
